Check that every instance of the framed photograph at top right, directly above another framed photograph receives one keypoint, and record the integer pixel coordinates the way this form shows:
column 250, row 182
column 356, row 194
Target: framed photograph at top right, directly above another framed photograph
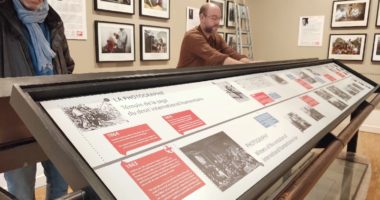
column 350, row 13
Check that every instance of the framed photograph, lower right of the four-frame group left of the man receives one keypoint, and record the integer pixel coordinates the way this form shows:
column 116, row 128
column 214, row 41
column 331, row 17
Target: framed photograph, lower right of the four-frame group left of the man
column 155, row 43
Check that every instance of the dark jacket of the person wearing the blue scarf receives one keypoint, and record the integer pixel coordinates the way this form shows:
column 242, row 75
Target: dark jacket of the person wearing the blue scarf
column 14, row 53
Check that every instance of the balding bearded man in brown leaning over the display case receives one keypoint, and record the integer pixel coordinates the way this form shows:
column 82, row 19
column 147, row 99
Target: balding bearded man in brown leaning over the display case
column 203, row 46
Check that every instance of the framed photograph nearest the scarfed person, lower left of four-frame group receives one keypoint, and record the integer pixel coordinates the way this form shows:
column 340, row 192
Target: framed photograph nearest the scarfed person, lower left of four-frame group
column 114, row 41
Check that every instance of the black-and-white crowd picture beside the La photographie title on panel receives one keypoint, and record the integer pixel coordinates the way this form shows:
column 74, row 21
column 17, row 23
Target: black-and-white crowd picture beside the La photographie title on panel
column 88, row 117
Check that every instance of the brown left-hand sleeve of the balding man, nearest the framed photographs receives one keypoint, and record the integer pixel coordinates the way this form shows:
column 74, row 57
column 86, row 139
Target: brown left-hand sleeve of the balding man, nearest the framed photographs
column 198, row 46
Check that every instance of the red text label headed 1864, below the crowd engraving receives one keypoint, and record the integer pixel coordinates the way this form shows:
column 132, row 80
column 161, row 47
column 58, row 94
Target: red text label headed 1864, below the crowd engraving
column 132, row 138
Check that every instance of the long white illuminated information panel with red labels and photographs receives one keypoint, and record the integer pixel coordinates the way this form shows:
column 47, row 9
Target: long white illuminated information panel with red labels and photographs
column 205, row 140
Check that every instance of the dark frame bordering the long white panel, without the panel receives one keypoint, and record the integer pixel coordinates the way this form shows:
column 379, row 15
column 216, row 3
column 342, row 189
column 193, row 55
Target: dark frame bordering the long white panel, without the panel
column 25, row 100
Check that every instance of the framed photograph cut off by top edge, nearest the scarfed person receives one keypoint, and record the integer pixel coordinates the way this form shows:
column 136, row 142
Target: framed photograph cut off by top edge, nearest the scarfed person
column 120, row 6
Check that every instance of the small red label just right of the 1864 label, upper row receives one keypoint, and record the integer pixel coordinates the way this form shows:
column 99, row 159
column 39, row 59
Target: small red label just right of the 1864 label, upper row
column 184, row 121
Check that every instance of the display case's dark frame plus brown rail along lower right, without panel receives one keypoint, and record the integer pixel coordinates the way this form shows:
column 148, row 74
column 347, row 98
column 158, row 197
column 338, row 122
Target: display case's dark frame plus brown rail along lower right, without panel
column 26, row 100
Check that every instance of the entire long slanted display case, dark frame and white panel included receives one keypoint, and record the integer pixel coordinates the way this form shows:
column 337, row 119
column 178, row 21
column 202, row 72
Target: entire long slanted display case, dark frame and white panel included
column 197, row 133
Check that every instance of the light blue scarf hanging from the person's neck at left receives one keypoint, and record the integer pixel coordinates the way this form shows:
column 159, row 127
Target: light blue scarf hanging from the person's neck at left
column 41, row 46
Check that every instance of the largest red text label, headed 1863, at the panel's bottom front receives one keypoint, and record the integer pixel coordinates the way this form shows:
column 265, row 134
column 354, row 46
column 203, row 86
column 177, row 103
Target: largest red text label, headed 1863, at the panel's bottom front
column 163, row 175
